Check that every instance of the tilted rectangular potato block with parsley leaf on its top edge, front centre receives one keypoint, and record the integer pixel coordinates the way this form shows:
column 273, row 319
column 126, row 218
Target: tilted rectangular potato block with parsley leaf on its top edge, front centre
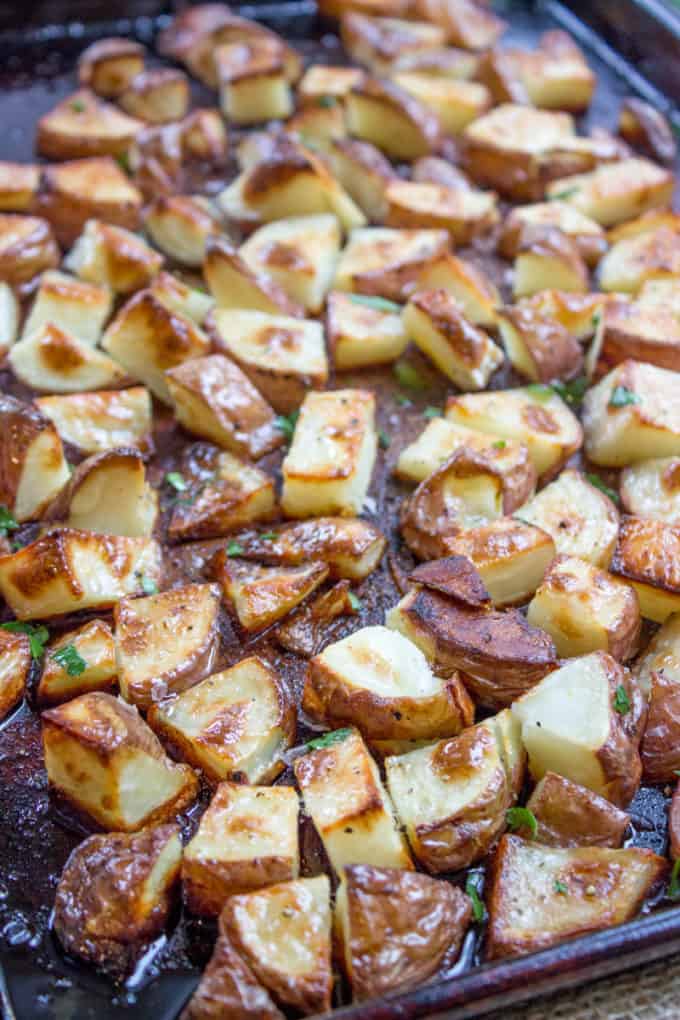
column 351, row 810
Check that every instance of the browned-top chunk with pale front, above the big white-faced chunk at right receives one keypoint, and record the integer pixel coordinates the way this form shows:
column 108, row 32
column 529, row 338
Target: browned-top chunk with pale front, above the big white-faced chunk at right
column 585, row 609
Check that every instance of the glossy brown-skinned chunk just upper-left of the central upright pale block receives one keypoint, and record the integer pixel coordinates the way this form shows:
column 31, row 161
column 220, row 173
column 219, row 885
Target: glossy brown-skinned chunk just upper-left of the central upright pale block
column 214, row 398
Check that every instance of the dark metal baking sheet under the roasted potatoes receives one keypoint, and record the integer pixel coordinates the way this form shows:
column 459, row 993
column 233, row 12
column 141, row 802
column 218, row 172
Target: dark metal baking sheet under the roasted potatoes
column 38, row 48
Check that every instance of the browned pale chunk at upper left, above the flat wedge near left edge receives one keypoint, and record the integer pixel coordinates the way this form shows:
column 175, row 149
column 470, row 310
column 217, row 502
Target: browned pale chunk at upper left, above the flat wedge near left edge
column 114, row 258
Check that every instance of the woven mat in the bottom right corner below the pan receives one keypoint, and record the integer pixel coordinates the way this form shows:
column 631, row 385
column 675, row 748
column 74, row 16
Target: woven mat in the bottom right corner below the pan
column 653, row 993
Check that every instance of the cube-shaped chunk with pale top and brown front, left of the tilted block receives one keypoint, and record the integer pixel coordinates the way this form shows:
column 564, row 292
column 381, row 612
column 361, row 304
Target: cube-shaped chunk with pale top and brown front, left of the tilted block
column 247, row 839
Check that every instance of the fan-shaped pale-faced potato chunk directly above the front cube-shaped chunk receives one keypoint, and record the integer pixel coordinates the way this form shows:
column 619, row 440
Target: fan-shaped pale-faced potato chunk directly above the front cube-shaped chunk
column 233, row 726
